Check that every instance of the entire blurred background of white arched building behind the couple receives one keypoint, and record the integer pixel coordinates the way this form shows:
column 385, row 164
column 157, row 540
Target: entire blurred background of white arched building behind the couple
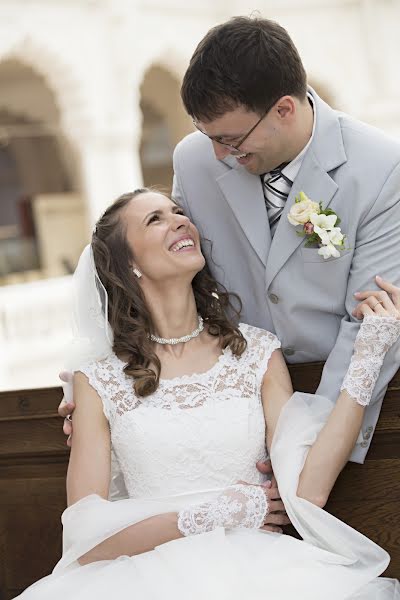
column 90, row 108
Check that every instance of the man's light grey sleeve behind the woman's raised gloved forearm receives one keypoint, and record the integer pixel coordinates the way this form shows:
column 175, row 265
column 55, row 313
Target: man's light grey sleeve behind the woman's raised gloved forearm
column 377, row 252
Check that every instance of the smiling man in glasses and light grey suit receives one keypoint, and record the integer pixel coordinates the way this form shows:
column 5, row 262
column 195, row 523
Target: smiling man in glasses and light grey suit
column 263, row 137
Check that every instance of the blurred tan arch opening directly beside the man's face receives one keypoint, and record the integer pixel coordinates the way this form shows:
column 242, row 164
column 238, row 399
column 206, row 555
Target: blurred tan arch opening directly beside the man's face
column 164, row 123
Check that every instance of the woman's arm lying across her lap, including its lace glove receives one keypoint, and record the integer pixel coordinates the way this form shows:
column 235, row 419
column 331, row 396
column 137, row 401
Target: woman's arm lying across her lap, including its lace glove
column 241, row 505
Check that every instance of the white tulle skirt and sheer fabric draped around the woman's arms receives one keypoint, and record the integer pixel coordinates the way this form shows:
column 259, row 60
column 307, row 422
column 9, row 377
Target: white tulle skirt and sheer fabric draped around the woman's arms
column 333, row 562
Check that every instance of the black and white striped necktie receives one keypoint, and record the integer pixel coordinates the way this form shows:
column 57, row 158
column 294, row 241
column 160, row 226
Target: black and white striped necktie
column 276, row 188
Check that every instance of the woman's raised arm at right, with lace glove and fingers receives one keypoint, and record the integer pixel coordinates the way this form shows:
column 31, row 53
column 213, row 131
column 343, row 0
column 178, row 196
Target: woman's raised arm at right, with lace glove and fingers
column 331, row 450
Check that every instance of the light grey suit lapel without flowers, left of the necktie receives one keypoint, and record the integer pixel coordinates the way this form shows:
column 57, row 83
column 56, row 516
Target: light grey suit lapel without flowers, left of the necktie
column 244, row 194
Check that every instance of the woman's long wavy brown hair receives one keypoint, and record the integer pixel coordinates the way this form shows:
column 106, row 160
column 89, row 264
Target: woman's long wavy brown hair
column 128, row 313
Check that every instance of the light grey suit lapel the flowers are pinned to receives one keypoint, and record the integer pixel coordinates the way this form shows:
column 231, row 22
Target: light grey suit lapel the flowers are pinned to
column 325, row 153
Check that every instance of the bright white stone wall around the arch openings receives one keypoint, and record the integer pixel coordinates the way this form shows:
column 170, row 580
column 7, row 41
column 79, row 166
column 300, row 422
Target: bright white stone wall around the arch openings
column 93, row 56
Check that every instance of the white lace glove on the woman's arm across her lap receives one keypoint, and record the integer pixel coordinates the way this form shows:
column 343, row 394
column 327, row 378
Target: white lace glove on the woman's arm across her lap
column 240, row 505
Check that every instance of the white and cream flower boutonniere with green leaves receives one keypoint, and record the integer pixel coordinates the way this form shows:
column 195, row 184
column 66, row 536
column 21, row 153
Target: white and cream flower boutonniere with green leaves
column 319, row 226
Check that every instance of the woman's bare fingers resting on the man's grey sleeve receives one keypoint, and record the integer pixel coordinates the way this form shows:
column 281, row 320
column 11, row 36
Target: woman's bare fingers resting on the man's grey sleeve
column 381, row 303
